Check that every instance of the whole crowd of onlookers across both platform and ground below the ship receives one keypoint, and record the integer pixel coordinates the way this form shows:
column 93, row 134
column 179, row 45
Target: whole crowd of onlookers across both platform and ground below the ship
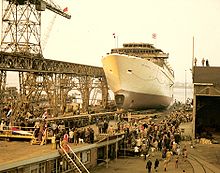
column 145, row 137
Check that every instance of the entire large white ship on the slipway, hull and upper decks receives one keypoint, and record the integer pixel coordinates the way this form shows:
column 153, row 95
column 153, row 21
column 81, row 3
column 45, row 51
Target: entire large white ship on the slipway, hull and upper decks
column 139, row 76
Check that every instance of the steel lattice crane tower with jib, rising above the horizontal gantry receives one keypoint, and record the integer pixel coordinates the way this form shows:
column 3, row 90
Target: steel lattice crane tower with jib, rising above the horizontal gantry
column 21, row 24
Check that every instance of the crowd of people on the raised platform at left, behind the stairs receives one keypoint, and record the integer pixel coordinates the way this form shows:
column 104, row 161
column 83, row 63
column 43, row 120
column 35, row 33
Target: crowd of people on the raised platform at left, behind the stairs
column 77, row 130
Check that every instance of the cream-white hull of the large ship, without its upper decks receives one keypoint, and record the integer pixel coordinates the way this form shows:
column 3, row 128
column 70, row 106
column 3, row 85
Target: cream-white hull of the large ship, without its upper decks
column 138, row 83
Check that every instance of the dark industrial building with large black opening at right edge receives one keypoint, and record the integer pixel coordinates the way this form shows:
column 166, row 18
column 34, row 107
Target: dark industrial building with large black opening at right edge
column 206, row 101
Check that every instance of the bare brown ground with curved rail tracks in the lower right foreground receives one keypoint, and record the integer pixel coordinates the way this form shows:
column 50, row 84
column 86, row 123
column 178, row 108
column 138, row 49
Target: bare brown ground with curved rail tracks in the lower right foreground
column 204, row 158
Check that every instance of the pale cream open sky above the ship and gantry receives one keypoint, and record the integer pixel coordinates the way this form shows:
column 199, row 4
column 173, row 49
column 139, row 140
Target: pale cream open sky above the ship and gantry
column 88, row 35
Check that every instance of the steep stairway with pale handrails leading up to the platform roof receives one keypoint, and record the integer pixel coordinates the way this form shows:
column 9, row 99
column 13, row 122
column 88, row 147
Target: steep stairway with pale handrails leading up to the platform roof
column 73, row 160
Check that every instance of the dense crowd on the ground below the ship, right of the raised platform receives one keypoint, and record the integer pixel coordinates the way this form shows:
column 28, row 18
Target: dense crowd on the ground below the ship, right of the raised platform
column 151, row 136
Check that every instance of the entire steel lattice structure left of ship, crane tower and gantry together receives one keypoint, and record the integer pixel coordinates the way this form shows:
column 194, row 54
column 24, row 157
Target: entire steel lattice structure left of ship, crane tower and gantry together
column 21, row 52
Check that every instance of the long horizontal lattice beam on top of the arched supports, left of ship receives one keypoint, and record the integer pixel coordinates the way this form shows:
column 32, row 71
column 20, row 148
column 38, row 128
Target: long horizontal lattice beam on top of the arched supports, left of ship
column 35, row 63
